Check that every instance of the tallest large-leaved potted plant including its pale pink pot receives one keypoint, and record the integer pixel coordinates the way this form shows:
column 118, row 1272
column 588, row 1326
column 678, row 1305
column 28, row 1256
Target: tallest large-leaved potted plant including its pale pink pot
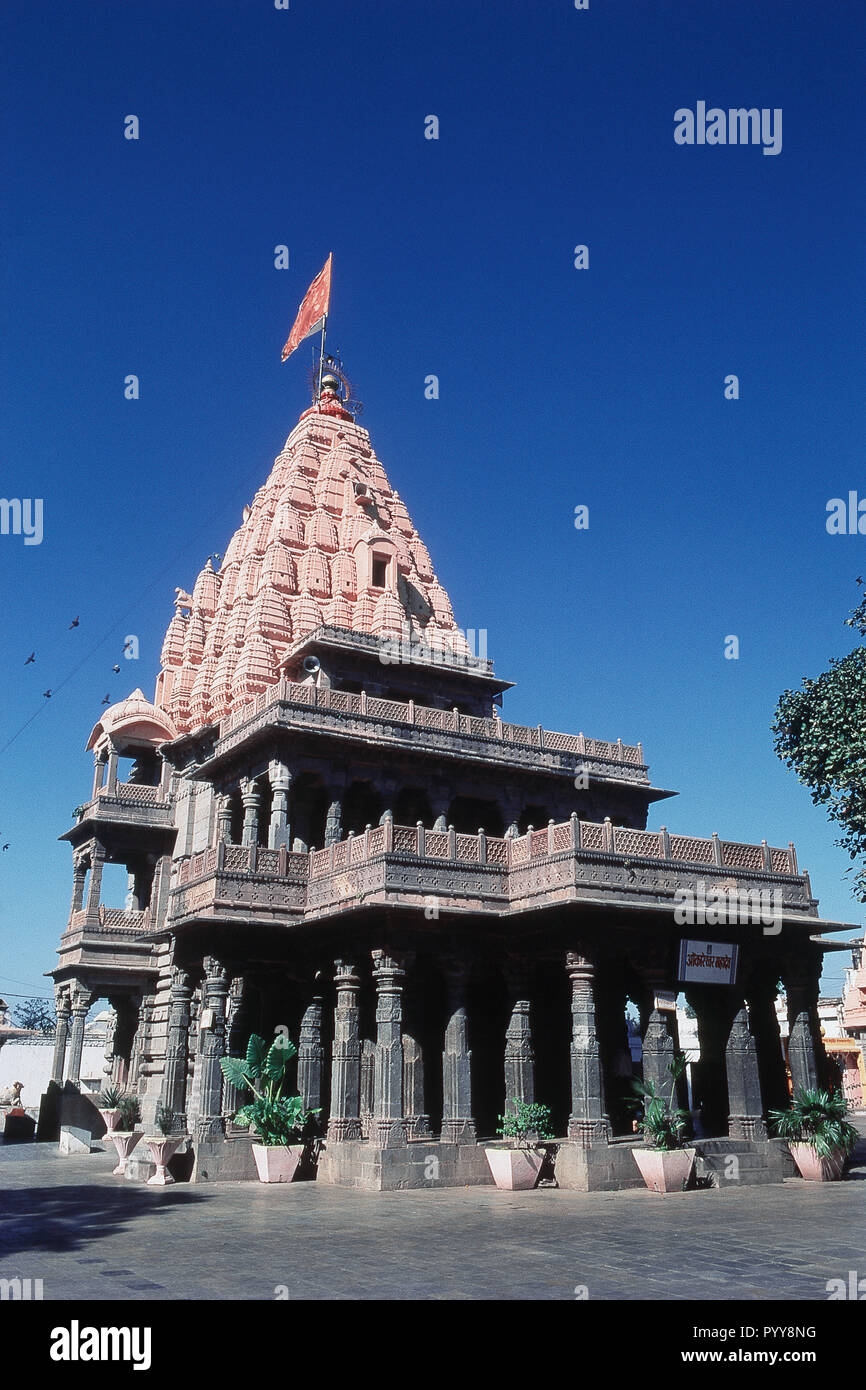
column 280, row 1121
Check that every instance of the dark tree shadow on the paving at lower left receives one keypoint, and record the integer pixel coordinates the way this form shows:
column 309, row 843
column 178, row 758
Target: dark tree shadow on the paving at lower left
column 73, row 1218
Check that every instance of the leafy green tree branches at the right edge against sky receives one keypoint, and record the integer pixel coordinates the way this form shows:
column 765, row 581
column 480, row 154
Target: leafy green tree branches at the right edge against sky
column 821, row 735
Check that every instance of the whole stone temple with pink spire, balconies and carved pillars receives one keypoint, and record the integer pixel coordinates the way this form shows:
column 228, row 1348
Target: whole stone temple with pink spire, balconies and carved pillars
column 329, row 826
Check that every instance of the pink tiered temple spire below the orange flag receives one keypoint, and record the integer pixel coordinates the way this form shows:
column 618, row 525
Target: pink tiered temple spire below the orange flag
column 325, row 541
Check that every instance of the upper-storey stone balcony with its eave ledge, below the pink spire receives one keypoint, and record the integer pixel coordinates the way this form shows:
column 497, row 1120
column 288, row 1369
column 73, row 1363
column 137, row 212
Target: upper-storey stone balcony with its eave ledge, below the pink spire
column 393, row 723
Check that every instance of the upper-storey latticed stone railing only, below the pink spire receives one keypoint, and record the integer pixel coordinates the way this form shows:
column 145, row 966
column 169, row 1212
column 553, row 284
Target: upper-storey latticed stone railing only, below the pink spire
column 440, row 721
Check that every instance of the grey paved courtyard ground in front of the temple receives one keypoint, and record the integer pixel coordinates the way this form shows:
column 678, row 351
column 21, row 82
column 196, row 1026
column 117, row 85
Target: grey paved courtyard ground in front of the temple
column 88, row 1235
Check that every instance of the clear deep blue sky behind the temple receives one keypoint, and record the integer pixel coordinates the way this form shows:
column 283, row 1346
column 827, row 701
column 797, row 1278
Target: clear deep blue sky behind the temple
column 558, row 387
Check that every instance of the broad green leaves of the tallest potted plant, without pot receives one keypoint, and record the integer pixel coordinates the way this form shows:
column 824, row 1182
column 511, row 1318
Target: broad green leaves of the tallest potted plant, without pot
column 277, row 1118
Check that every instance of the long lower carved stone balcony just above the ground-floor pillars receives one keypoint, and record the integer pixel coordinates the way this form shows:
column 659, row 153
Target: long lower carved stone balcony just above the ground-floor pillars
column 401, row 867
